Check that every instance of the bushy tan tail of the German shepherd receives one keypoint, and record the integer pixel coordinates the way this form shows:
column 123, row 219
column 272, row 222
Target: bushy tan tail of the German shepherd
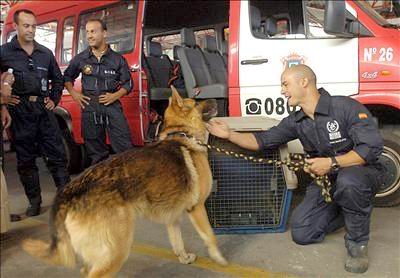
column 59, row 251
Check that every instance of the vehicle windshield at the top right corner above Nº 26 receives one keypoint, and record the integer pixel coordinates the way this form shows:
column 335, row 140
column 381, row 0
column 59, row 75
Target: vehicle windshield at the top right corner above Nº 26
column 385, row 13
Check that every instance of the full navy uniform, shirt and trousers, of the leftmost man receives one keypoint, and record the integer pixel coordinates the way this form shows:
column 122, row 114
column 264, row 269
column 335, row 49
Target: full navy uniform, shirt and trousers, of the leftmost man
column 35, row 129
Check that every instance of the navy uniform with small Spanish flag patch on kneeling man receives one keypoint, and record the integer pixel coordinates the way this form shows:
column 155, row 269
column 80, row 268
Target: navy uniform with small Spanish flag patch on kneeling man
column 341, row 124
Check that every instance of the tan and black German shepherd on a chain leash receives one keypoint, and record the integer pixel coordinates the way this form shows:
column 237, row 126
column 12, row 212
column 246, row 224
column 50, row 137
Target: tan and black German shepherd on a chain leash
column 93, row 217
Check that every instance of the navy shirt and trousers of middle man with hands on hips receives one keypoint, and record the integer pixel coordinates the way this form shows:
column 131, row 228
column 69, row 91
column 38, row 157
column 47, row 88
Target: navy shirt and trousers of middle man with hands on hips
column 99, row 77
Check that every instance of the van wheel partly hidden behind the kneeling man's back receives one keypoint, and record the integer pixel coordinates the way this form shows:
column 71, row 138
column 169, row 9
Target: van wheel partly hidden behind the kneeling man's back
column 389, row 192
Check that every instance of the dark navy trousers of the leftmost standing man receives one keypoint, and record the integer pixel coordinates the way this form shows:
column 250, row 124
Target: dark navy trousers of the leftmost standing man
column 35, row 132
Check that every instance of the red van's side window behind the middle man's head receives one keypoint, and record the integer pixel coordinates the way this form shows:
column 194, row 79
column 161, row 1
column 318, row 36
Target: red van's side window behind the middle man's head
column 120, row 20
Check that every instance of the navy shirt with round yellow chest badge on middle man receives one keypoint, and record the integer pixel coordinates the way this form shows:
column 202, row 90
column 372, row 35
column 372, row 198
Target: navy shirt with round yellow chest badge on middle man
column 105, row 76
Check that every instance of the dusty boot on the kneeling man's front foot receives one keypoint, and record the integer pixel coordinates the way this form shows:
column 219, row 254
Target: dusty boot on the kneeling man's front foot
column 357, row 259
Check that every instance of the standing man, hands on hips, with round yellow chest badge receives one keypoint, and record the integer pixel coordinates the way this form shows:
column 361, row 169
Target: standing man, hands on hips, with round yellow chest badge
column 105, row 78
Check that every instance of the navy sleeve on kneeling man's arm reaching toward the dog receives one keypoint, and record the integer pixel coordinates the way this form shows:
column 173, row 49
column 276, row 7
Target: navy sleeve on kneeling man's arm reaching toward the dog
column 284, row 132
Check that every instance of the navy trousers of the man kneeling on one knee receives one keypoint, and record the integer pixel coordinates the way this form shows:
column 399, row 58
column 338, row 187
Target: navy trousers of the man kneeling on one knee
column 353, row 191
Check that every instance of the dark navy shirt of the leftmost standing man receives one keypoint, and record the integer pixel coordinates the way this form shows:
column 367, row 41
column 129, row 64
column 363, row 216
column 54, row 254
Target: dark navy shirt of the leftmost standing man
column 32, row 73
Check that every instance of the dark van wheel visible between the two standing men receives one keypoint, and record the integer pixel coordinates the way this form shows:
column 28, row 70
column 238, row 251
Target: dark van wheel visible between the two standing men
column 73, row 153
